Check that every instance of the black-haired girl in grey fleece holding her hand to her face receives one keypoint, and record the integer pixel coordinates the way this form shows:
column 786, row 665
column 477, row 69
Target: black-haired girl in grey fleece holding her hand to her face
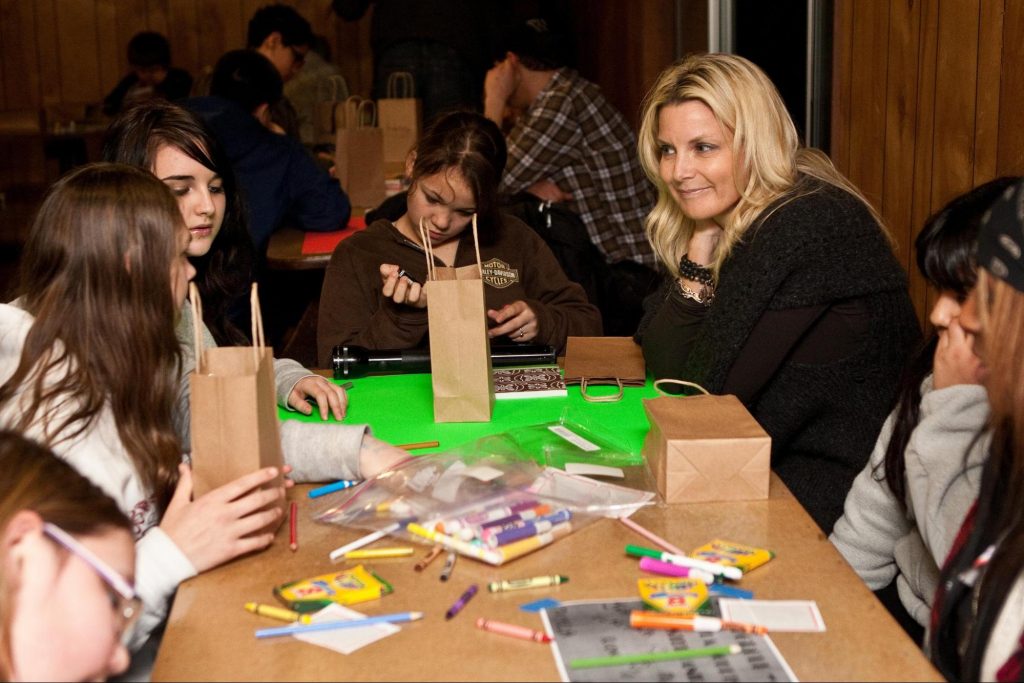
column 905, row 508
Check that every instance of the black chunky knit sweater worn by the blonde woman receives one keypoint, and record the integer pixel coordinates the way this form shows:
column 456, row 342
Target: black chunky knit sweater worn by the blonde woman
column 817, row 250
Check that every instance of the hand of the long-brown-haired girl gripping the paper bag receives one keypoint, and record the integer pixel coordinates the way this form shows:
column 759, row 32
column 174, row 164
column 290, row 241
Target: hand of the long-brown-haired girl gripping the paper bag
column 226, row 523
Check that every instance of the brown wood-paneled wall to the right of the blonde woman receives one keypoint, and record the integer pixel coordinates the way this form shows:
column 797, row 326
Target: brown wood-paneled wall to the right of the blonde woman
column 928, row 100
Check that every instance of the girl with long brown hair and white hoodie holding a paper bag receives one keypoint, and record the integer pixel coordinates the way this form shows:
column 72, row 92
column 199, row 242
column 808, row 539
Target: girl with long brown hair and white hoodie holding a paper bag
column 89, row 367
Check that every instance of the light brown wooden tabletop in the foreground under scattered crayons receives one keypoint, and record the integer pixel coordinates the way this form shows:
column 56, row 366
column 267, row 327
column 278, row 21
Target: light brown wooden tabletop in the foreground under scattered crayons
column 210, row 636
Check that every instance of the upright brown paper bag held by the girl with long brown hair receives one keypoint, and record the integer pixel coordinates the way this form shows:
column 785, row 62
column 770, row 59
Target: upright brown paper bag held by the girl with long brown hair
column 234, row 408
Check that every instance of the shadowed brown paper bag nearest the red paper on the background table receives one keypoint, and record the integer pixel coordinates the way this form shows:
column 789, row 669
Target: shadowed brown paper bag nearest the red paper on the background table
column 359, row 154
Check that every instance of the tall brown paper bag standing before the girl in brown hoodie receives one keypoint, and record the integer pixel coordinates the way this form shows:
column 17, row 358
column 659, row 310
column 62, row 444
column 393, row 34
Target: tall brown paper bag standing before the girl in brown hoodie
column 460, row 351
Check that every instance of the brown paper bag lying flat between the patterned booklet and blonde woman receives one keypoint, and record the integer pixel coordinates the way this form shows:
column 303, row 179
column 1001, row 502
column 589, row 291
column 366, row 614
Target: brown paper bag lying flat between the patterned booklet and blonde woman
column 596, row 361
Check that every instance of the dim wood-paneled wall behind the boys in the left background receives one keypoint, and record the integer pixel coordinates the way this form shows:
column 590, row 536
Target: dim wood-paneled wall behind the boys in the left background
column 74, row 51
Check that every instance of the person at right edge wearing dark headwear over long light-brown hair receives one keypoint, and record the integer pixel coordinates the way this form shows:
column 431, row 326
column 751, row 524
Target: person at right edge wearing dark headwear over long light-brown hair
column 977, row 628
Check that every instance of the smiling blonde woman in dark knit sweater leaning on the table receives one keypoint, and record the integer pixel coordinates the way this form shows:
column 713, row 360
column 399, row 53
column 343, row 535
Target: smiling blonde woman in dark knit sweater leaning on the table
column 784, row 289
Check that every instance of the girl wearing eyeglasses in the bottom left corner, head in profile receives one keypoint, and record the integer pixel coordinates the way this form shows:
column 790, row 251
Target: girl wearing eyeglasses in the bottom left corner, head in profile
column 67, row 568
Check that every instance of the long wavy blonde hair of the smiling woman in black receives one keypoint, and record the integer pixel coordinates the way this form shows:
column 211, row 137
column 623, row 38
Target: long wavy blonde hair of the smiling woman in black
column 765, row 148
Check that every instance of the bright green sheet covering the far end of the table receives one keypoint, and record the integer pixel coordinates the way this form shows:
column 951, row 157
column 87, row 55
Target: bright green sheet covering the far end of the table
column 400, row 408
